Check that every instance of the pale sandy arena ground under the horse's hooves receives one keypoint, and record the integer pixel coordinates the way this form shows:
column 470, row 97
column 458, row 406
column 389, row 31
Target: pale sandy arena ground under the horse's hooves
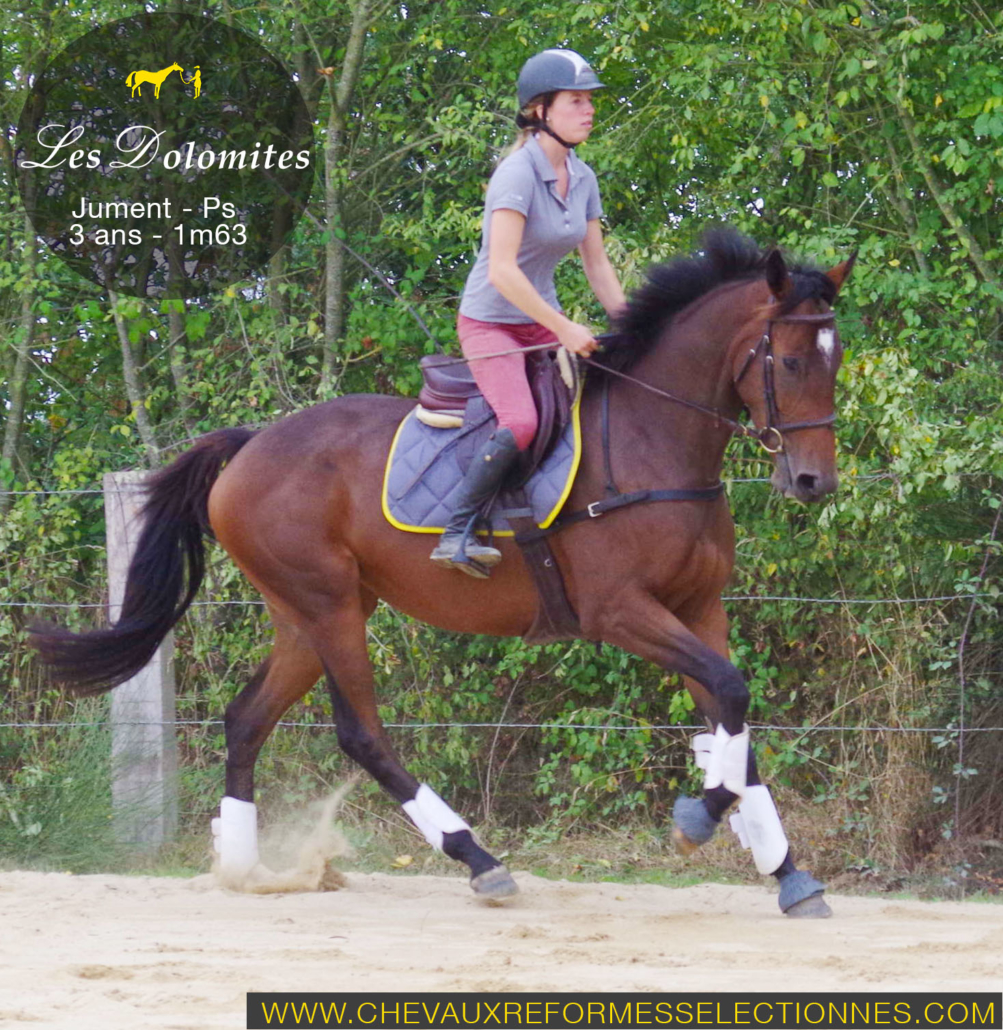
column 123, row 952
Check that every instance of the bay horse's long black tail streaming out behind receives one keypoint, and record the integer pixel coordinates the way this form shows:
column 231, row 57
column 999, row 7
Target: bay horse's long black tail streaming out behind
column 164, row 575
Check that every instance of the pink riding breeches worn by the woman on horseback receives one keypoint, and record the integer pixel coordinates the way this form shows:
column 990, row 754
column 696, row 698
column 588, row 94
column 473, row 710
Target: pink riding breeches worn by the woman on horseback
column 503, row 381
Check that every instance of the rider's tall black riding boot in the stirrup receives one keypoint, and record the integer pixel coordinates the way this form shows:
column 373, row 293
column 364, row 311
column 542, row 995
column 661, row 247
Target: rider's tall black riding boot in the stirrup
column 459, row 547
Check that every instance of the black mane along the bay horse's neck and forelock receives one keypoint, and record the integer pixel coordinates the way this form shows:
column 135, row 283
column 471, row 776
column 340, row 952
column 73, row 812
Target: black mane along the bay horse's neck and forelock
column 725, row 257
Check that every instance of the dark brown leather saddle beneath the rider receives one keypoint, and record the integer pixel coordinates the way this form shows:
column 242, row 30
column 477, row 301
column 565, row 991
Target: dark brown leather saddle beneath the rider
column 451, row 398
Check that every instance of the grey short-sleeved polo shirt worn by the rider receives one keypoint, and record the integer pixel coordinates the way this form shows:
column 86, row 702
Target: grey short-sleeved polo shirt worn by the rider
column 527, row 183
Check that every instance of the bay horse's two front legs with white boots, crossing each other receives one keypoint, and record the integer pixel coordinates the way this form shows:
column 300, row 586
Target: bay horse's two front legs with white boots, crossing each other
column 701, row 654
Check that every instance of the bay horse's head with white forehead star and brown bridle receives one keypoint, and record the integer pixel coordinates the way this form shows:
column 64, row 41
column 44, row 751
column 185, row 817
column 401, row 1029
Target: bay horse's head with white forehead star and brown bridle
column 785, row 370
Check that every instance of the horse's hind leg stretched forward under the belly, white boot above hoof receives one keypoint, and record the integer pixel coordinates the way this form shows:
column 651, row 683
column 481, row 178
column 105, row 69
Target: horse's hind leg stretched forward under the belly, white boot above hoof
column 339, row 638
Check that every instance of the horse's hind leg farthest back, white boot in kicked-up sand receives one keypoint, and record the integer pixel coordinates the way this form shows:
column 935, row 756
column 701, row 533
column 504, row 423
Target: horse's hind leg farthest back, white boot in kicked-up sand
column 283, row 679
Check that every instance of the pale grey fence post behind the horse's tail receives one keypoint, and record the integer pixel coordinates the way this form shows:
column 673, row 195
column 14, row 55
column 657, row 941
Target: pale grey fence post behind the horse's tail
column 144, row 737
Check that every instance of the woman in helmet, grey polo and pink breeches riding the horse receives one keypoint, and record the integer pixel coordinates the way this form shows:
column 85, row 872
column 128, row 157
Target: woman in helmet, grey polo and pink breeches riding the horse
column 542, row 203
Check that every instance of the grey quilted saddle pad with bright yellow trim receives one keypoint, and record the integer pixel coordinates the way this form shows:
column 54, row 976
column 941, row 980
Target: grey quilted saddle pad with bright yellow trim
column 424, row 474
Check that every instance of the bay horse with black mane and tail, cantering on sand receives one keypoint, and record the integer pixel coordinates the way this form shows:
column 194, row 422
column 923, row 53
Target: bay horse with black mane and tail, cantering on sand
column 297, row 506
